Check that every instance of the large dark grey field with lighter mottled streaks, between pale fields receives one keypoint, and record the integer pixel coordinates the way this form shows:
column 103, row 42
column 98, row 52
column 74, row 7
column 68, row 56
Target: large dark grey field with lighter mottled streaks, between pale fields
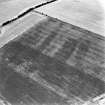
column 53, row 63
